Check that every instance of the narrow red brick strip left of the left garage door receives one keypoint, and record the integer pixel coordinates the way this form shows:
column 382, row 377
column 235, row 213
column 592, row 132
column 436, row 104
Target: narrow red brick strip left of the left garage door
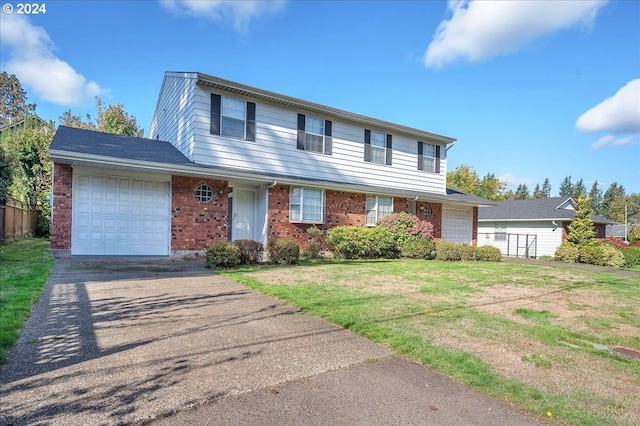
column 61, row 224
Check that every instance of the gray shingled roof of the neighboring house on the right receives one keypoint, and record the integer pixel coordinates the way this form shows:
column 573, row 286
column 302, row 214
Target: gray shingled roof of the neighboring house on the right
column 533, row 209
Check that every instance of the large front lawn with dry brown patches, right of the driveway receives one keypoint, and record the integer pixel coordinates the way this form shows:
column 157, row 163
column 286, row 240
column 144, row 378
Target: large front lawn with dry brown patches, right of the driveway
column 530, row 335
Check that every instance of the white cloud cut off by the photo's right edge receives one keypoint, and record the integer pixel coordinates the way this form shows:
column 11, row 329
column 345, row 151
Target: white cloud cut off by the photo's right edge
column 619, row 114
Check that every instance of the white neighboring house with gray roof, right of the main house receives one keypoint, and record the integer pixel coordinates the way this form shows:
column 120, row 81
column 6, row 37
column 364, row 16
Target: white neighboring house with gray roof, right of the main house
column 531, row 228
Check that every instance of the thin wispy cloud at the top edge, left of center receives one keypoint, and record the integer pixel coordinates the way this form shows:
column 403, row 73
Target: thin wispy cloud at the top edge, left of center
column 241, row 13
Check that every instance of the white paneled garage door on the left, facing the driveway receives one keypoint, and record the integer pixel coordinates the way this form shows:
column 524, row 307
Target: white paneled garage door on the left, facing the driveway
column 120, row 215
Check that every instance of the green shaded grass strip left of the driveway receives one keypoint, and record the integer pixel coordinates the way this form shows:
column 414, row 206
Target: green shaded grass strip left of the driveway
column 25, row 267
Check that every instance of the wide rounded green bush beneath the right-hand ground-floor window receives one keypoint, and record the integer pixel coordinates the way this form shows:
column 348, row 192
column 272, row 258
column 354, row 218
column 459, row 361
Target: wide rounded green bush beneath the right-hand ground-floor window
column 354, row 242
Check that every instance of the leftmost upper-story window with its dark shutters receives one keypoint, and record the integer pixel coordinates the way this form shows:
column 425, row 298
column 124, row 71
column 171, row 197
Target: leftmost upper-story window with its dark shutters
column 233, row 117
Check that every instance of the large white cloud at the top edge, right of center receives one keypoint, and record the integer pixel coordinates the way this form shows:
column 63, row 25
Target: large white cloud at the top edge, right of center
column 480, row 30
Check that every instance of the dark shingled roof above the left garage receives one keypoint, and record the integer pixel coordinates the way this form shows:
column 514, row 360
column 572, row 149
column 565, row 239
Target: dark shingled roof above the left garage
column 81, row 141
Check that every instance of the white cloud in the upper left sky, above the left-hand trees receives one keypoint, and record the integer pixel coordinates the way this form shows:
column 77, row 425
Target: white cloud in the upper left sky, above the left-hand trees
column 32, row 60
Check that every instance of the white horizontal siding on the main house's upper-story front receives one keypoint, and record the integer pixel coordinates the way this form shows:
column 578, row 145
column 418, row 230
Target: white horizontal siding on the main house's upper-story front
column 275, row 151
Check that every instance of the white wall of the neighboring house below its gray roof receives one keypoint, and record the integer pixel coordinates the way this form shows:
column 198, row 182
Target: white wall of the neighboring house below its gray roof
column 548, row 237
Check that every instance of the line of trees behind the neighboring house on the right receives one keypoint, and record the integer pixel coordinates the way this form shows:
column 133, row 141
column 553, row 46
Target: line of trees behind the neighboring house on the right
column 609, row 203
